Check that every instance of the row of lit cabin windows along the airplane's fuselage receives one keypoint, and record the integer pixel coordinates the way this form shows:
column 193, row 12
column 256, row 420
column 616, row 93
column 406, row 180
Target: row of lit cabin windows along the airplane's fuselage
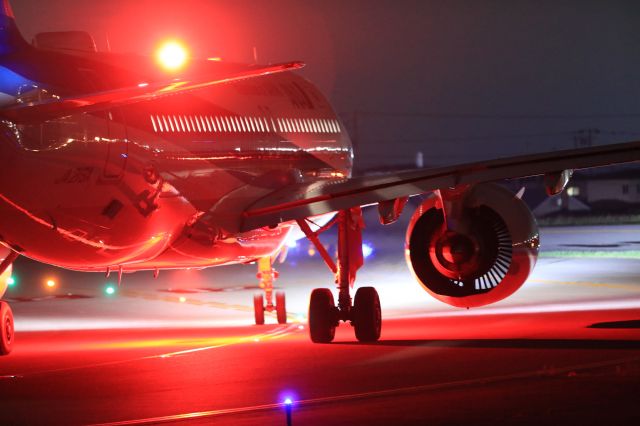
column 218, row 124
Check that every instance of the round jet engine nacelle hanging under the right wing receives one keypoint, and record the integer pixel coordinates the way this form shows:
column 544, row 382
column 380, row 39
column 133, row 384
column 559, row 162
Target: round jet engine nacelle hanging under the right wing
column 485, row 258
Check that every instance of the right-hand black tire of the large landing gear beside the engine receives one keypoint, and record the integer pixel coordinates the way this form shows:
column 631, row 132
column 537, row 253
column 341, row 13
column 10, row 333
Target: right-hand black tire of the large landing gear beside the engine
column 367, row 315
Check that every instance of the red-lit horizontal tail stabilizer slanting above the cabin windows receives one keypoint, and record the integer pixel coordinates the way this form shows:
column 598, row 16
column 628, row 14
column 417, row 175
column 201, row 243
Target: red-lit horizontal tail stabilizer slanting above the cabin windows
column 56, row 108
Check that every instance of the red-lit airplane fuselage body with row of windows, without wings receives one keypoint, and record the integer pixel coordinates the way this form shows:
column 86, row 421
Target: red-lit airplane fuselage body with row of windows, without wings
column 155, row 185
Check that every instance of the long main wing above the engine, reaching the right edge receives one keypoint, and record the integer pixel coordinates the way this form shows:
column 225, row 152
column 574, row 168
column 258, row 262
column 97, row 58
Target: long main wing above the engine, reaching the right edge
column 310, row 199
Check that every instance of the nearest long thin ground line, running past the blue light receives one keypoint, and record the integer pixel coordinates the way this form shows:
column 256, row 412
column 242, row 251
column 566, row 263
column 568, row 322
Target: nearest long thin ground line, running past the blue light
column 545, row 372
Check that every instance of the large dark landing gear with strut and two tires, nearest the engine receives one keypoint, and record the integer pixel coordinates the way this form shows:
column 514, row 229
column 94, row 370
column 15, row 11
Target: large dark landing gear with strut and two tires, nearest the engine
column 364, row 313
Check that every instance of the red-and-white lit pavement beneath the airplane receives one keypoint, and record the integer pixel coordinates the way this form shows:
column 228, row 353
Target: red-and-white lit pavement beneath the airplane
column 565, row 348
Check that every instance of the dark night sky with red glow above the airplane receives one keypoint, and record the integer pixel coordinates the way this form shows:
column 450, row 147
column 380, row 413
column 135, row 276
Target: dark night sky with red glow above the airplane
column 457, row 80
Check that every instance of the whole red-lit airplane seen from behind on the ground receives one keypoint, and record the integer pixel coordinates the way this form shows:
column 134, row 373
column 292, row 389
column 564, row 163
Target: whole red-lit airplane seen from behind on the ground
column 115, row 163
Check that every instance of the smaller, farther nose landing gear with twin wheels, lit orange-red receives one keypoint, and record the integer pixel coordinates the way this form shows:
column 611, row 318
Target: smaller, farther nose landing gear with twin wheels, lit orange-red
column 267, row 275
